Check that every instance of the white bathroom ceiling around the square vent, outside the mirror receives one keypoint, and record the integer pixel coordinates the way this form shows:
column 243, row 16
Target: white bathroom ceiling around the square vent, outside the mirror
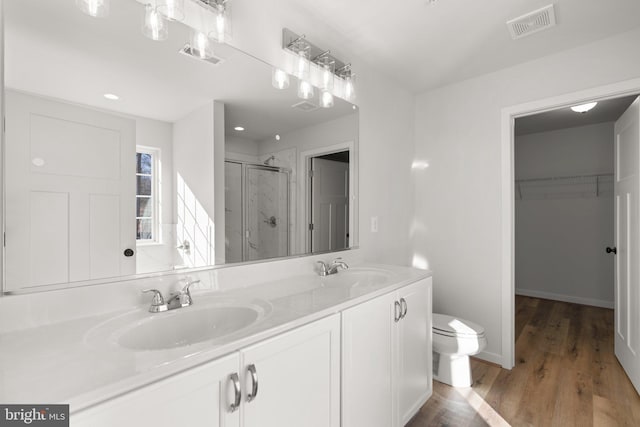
column 427, row 45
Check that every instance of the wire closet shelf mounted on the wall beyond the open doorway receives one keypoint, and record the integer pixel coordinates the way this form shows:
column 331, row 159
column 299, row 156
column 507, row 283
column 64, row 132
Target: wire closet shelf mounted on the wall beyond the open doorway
column 564, row 187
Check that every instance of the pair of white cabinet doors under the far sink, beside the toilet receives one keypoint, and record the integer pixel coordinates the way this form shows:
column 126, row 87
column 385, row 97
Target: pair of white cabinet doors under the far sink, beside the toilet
column 386, row 358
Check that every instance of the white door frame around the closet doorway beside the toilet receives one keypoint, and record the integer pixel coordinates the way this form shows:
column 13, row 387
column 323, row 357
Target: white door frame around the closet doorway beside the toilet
column 508, row 116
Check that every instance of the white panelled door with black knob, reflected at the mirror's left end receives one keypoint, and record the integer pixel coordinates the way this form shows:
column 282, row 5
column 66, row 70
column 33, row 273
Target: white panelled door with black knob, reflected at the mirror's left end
column 70, row 191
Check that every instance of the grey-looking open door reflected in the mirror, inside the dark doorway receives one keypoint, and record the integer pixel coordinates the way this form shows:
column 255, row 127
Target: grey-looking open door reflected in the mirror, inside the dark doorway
column 329, row 205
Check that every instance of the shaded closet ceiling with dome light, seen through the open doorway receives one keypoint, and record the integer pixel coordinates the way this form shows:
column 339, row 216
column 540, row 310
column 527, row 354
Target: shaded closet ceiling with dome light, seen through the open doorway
column 605, row 111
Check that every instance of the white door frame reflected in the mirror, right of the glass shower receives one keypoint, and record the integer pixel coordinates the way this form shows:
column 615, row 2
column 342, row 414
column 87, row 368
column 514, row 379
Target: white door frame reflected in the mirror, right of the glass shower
column 304, row 214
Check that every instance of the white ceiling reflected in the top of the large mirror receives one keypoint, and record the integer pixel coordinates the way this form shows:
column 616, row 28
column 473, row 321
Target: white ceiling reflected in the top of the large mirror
column 77, row 58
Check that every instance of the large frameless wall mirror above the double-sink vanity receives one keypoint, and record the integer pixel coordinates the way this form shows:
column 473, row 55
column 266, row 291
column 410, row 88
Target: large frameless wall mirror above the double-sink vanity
column 128, row 157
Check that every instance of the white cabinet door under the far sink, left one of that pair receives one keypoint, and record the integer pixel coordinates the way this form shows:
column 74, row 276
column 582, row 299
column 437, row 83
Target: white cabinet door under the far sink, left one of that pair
column 367, row 388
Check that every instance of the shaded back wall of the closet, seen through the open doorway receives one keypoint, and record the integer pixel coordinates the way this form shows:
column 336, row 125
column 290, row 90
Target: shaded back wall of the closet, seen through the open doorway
column 560, row 241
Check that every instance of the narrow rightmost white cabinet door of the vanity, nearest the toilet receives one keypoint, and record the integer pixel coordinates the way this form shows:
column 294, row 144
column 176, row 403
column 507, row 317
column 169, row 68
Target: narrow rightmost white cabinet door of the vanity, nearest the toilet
column 414, row 369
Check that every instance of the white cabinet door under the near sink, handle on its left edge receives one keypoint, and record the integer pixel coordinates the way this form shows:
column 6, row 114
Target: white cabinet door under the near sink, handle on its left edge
column 297, row 376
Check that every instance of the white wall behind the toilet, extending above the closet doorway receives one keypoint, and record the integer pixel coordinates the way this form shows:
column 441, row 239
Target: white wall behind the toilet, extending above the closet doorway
column 457, row 226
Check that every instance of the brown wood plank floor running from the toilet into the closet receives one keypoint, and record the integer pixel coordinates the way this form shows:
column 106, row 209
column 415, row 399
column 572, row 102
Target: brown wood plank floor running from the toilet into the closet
column 566, row 374
